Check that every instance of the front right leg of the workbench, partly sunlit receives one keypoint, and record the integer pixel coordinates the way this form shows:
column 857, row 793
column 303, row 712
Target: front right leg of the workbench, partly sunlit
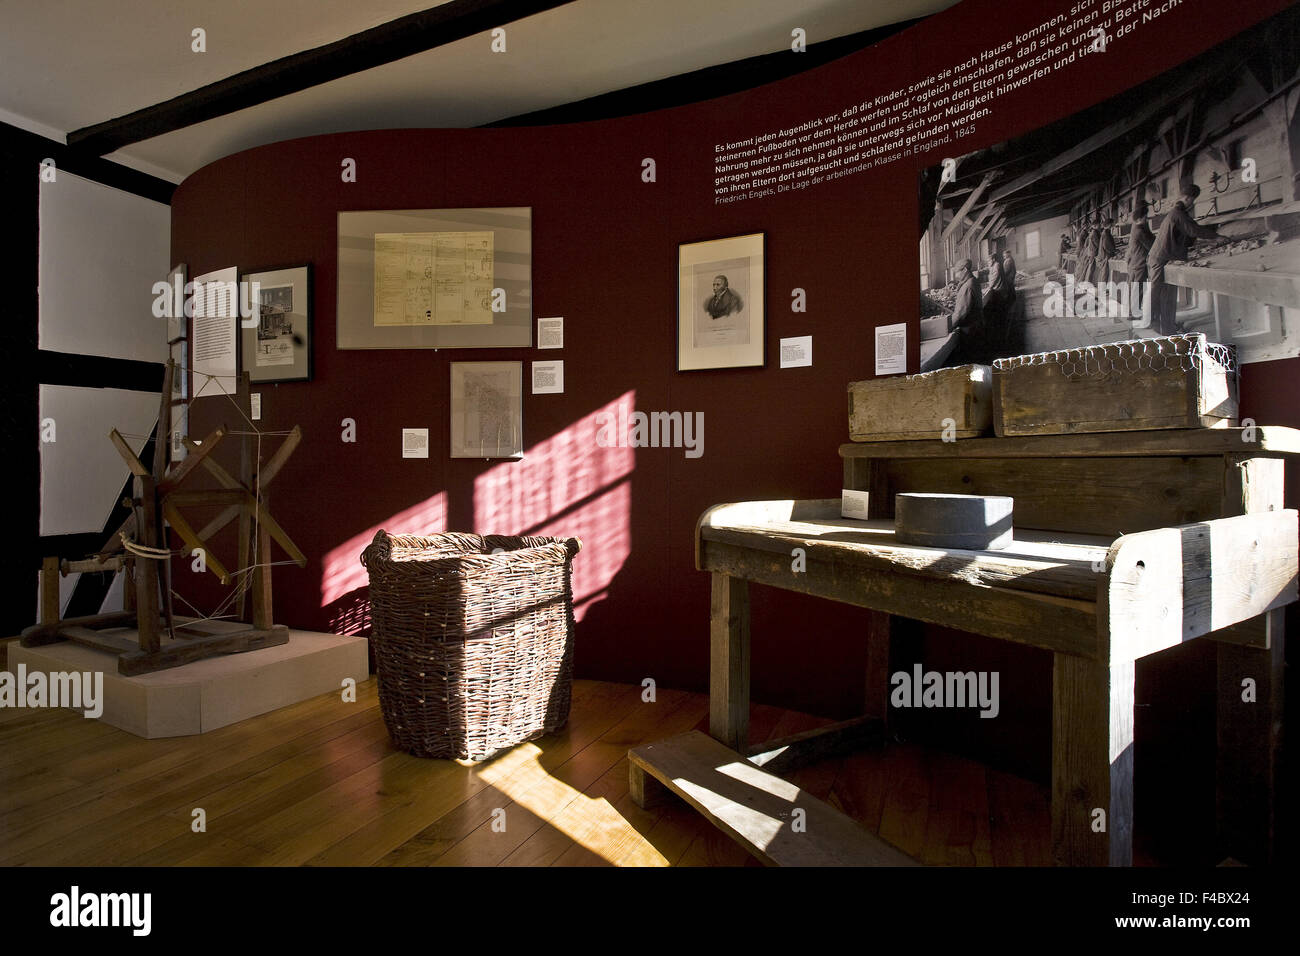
column 1093, row 763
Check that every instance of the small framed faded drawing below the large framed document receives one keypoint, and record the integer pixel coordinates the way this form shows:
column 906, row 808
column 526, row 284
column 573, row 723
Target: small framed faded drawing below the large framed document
column 487, row 409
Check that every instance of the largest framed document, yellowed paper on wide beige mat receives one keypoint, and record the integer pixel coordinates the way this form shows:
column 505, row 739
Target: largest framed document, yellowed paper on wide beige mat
column 436, row 279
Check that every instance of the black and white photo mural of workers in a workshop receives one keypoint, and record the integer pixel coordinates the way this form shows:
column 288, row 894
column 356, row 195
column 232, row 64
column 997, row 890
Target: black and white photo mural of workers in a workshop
column 1173, row 207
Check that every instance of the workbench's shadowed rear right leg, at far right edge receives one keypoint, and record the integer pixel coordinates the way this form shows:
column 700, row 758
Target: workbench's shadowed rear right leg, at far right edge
column 1249, row 738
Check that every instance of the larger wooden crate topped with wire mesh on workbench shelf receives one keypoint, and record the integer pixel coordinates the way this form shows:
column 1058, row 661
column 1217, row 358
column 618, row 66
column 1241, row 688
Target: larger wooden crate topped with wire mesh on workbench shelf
column 1177, row 382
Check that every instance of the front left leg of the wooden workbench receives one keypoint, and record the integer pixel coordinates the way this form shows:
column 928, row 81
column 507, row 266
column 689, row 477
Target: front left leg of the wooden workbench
column 729, row 663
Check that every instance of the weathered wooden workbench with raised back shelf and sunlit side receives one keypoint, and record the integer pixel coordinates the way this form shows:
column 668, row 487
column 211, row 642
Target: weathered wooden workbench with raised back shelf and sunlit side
column 1126, row 544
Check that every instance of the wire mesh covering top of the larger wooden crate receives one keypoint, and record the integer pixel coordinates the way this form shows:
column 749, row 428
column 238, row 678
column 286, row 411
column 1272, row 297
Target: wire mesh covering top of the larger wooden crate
column 1182, row 353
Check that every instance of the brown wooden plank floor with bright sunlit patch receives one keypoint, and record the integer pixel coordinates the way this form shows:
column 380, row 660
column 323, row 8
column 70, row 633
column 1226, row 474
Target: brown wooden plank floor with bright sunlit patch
column 319, row 784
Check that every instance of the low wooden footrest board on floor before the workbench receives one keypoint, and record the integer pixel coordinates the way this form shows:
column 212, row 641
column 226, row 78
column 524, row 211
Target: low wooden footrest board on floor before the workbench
column 753, row 807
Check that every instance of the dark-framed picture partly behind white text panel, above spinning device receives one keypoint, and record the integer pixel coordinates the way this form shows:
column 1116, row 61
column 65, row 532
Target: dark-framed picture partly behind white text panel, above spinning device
column 276, row 340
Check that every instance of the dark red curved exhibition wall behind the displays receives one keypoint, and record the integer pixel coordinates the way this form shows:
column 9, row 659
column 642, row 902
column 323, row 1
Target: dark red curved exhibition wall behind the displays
column 605, row 248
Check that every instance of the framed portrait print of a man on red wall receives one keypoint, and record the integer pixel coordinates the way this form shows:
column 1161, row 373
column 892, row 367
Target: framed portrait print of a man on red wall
column 721, row 304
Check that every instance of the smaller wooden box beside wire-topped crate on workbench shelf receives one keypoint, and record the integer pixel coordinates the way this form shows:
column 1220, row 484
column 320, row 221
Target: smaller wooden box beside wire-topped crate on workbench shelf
column 944, row 404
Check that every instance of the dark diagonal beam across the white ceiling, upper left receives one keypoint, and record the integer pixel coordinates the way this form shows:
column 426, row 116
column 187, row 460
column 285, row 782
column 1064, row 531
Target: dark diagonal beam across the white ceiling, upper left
column 395, row 41
